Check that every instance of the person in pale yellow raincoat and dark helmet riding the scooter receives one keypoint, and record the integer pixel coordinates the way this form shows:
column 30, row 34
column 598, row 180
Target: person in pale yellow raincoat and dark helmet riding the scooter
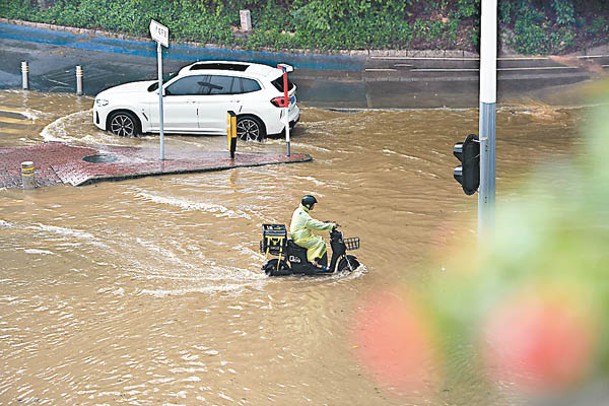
column 300, row 231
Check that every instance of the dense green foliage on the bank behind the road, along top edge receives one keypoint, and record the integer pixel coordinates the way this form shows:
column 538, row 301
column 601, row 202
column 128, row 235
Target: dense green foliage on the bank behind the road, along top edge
column 537, row 27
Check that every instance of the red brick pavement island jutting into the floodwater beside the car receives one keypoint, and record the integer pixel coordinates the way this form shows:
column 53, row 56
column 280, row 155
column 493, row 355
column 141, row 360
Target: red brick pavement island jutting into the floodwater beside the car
column 58, row 163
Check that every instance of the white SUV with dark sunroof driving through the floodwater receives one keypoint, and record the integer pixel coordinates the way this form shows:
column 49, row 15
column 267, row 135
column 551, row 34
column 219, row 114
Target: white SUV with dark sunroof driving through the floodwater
column 197, row 99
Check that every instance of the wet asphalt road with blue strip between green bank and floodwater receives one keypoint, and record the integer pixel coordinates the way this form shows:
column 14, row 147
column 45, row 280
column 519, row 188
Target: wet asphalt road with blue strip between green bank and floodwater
column 358, row 80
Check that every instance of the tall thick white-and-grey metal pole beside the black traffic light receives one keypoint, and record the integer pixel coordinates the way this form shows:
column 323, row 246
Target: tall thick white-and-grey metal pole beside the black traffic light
column 487, row 123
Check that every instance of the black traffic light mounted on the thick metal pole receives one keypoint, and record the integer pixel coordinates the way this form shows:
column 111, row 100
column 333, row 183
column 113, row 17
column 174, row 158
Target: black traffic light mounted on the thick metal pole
column 468, row 174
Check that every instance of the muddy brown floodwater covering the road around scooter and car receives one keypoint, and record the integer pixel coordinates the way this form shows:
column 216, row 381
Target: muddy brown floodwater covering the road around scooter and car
column 149, row 291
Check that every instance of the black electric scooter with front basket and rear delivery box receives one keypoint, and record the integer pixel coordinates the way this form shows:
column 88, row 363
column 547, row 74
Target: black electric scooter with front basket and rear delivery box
column 291, row 259
